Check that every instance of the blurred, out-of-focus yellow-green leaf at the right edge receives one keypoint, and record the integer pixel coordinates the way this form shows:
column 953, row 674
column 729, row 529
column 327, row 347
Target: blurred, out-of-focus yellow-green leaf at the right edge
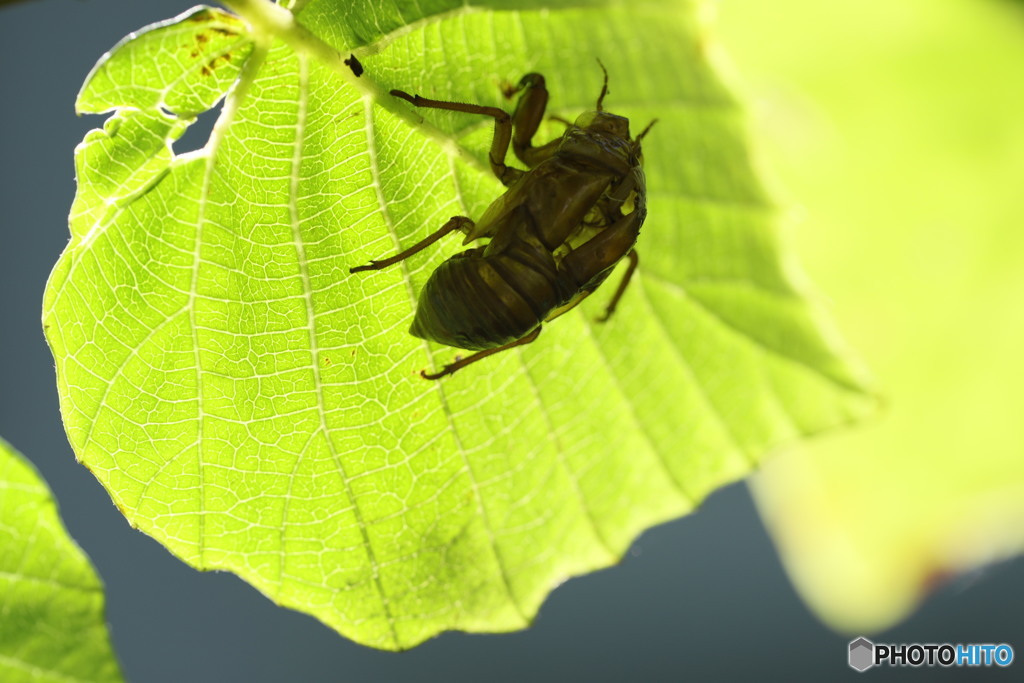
column 901, row 129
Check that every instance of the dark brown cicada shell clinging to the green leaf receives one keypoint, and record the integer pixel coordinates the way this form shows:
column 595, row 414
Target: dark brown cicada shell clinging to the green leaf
column 556, row 235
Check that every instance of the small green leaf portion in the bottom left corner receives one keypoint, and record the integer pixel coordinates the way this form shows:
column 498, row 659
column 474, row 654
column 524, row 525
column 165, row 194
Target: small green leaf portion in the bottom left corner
column 52, row 602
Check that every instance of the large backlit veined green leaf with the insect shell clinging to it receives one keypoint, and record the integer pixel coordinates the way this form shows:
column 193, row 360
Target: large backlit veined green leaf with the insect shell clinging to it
column 258, row 409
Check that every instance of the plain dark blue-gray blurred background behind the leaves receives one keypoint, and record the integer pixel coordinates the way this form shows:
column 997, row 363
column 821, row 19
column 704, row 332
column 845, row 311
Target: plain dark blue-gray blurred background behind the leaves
column 703, row 599
